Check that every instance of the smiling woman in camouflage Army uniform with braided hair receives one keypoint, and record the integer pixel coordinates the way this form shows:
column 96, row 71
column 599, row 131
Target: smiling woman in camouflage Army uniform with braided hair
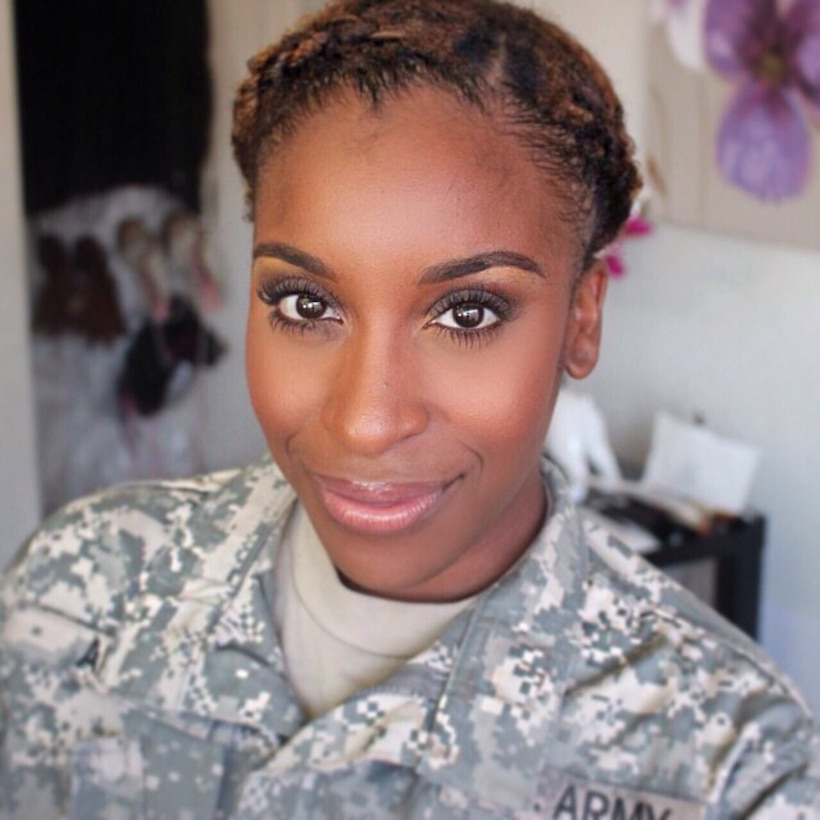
column 401, row 614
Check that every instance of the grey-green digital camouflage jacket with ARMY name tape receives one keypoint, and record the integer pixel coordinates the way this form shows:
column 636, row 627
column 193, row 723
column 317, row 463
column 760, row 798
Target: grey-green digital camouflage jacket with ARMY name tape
column 141, row 676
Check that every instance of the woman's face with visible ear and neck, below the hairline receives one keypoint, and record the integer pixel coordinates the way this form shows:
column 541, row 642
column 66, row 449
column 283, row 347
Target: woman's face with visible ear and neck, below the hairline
column 411, row 312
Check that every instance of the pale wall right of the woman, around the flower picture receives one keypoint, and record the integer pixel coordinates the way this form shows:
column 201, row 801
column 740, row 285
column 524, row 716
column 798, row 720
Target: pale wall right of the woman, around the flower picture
column 726, row 328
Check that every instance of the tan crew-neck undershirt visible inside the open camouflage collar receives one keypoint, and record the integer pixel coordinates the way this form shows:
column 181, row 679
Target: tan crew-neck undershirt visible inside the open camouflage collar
column 337, row 641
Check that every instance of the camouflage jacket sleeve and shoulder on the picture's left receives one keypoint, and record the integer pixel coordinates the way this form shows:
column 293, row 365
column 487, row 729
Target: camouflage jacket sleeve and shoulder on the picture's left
column 65, row 592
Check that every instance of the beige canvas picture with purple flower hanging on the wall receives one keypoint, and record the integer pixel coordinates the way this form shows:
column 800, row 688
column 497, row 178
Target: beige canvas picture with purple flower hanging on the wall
column 734, row 117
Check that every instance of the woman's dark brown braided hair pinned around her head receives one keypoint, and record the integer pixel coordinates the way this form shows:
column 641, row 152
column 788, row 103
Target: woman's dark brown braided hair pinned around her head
column 493, row 55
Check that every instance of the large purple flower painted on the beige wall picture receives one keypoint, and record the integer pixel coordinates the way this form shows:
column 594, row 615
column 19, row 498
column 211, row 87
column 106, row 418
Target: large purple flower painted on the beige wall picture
column 773, row 57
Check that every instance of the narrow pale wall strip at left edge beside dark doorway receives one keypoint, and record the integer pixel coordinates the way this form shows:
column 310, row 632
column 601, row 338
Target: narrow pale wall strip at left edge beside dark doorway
column 19, row 497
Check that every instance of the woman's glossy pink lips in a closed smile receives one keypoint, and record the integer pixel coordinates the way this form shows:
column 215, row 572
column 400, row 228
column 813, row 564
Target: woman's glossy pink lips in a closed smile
column 379, row 507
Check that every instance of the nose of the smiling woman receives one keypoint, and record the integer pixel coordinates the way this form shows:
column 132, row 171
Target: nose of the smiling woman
column 374, row 401
